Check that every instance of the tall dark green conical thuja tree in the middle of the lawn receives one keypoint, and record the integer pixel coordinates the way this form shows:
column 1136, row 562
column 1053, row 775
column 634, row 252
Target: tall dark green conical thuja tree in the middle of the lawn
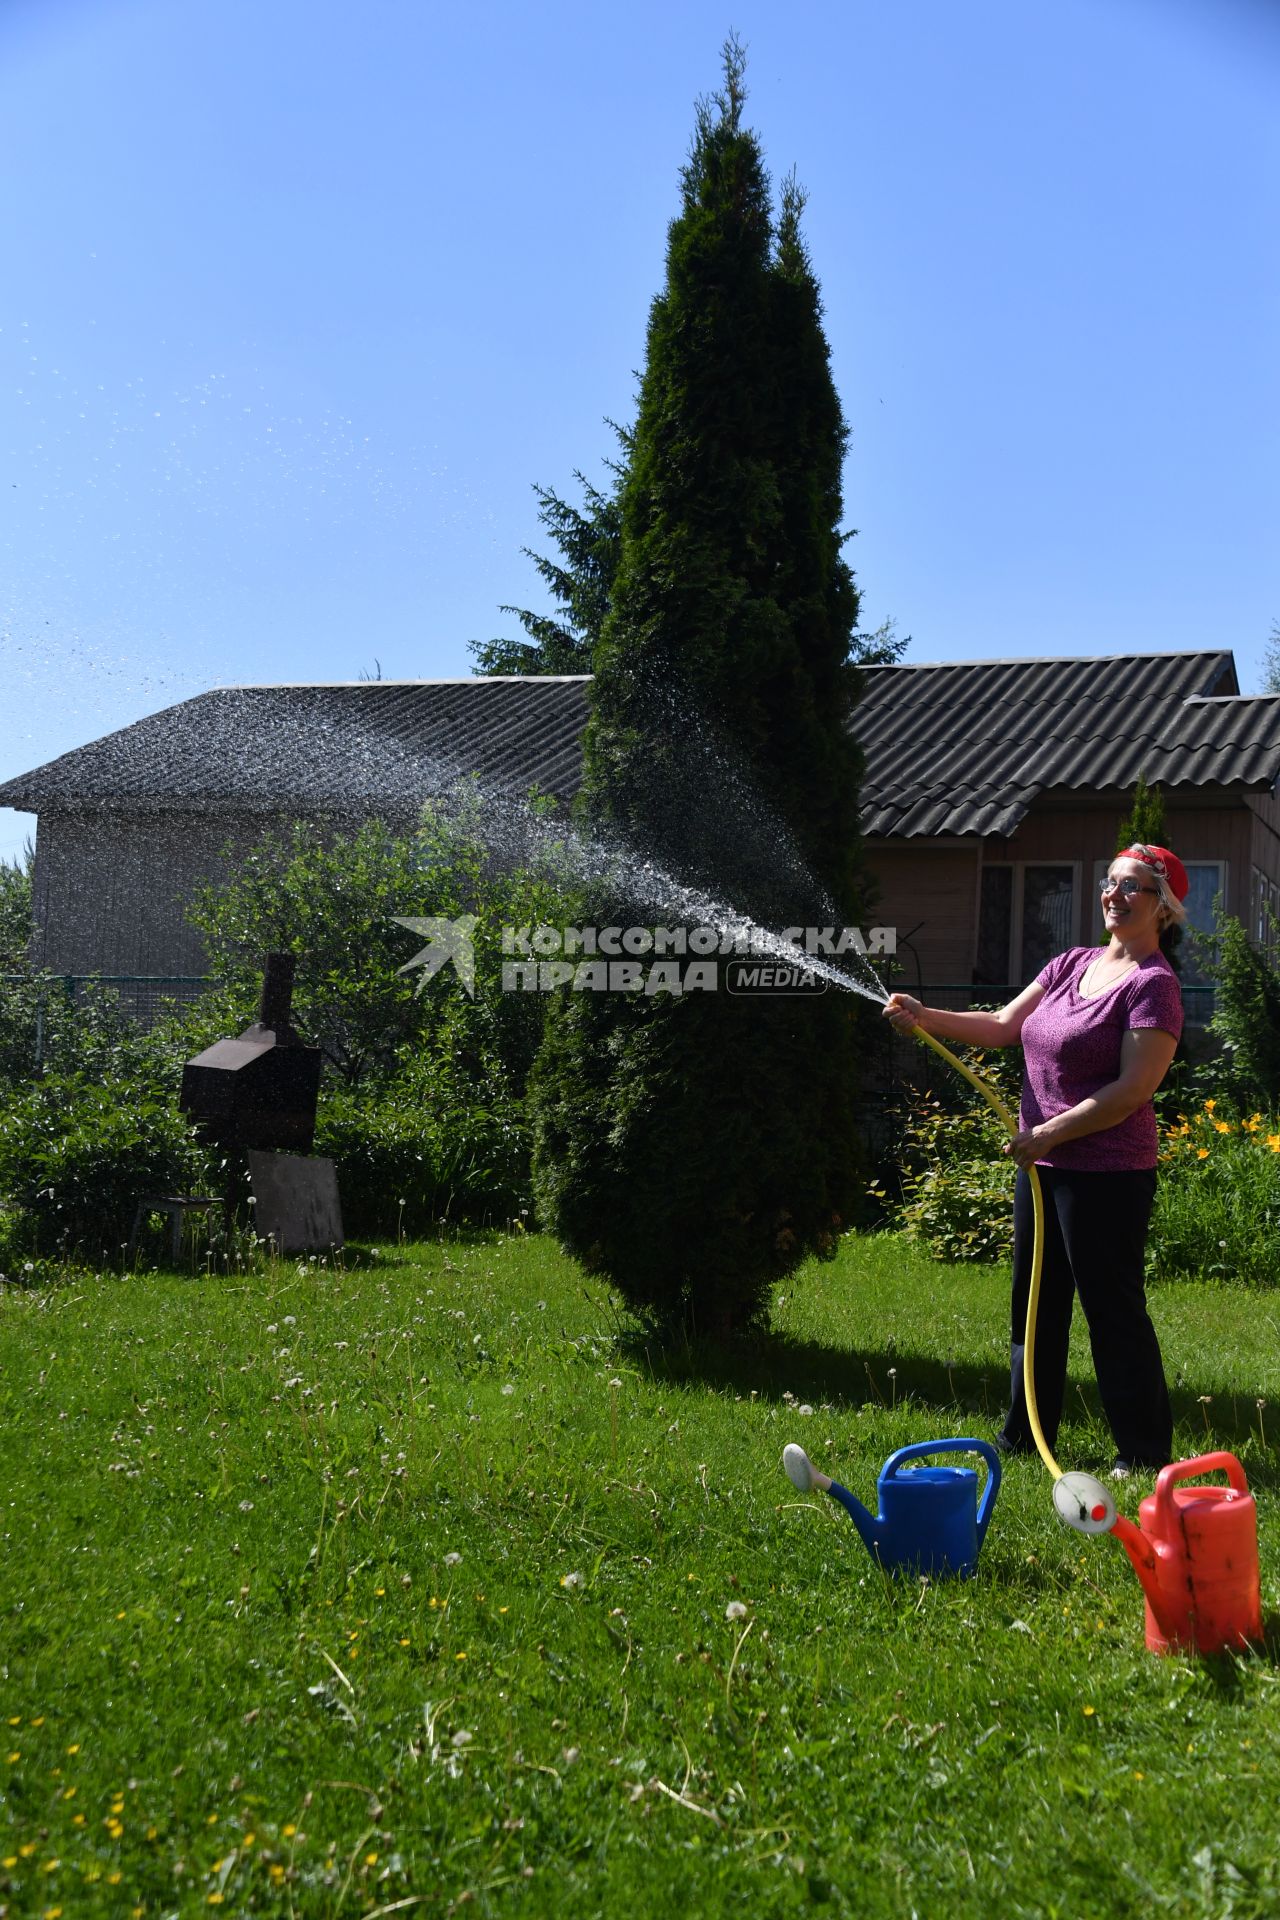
column 696, row 1149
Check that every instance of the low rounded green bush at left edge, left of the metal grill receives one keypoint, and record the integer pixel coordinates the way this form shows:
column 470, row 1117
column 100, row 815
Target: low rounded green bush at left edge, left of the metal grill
column 78, row 1155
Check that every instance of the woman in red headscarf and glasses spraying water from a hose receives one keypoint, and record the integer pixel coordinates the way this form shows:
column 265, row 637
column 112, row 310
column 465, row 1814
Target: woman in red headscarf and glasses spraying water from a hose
column 1099, row 1030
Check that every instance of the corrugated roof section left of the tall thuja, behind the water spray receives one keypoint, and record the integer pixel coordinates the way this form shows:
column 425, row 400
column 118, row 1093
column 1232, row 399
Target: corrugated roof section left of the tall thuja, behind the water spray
column 356, row 748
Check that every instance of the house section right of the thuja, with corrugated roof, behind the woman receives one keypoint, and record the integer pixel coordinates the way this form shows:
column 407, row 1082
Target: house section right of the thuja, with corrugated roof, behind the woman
column 995, row 792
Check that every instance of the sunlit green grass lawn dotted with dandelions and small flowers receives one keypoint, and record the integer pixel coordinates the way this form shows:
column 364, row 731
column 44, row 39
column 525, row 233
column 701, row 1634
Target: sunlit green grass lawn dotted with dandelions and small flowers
column 408, row 1587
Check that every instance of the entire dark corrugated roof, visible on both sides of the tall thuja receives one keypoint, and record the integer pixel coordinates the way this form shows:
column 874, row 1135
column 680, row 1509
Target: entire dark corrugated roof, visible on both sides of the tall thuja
column 955, row 748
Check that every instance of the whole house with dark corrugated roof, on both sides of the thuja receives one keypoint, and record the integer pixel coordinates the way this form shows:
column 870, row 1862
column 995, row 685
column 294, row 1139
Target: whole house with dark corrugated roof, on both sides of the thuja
column 991, row 800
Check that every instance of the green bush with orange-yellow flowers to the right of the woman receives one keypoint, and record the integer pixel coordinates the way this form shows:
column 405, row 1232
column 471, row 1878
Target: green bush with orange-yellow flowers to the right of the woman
column 1218, row 1205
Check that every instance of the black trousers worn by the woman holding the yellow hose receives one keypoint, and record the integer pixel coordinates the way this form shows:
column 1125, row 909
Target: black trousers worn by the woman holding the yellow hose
column 1095, row 1237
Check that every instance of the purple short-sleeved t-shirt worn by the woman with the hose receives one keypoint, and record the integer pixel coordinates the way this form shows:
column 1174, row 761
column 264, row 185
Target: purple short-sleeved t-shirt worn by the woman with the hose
column 1072, row 1049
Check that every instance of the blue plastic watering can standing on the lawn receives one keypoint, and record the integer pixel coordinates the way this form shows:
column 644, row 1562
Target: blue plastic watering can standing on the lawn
column 930, row 1520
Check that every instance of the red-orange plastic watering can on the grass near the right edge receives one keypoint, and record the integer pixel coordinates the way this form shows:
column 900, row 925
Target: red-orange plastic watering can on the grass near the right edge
column 1197, row 1556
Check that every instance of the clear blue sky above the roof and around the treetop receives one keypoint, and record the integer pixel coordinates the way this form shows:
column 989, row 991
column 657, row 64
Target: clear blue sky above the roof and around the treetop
column 302, row 299
